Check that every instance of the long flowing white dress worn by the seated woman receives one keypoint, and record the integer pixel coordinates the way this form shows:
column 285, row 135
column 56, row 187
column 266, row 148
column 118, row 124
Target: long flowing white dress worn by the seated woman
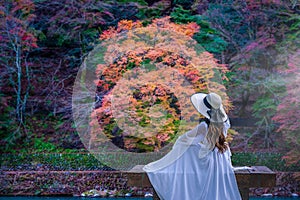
column 190, row 171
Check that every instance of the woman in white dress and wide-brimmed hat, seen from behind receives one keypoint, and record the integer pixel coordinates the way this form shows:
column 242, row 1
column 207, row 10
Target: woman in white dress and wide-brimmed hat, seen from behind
column 199, row 165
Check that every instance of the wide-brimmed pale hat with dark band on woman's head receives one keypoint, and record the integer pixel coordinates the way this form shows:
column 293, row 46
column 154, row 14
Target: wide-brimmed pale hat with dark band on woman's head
column 210, row 106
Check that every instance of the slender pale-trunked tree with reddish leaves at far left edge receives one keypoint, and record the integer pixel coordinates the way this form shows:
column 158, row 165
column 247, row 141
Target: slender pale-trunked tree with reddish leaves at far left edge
column 17, row 40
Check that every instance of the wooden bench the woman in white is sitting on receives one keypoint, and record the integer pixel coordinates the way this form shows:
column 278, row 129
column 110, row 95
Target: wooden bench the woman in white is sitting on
column 258, row 176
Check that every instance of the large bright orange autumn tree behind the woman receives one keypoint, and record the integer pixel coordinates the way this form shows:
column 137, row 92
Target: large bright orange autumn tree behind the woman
column 156, row 68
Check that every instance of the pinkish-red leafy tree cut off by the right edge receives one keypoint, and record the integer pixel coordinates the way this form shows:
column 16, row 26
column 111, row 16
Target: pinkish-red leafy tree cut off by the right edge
column 287, row 113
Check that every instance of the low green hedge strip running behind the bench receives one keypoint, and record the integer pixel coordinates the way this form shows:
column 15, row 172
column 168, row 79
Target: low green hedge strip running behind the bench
column 87, row 161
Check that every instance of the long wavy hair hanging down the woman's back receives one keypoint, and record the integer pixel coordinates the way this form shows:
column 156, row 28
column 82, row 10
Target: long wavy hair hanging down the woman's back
column 215, row 136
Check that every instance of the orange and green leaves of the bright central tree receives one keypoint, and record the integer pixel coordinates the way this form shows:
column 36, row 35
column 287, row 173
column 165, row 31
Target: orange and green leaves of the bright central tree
column 144, row 58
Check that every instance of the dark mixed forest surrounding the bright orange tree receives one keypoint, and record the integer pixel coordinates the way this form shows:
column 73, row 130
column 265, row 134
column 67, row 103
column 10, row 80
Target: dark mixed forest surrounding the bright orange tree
column 43, row 43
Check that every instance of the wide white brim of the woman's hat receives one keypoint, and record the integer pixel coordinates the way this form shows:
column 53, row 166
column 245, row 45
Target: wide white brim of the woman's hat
column 197, row 101
